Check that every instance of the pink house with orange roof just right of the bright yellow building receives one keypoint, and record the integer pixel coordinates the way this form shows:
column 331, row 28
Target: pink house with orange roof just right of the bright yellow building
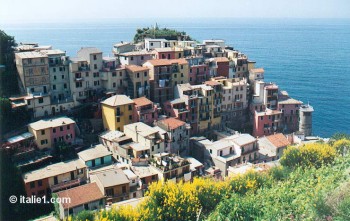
column 146, row 111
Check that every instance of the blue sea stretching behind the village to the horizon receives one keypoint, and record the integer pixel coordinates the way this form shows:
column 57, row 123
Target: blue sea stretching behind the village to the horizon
column 310, row 58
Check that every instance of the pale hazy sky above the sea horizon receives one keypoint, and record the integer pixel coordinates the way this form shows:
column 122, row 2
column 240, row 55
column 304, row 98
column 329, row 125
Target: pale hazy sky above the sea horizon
column 67, row 10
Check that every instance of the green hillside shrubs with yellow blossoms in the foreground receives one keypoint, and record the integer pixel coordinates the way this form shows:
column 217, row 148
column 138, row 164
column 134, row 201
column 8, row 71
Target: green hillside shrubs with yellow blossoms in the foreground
column 312, row 183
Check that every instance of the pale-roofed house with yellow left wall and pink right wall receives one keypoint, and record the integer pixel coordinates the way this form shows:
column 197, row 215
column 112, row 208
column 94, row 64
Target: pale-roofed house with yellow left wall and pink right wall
column 48, row 132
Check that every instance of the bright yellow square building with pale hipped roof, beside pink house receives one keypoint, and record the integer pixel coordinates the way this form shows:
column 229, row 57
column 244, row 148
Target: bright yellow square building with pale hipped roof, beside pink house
column 117, row 111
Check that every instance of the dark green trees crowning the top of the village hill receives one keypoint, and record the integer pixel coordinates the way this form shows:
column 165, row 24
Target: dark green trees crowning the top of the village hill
column 156, row 32
